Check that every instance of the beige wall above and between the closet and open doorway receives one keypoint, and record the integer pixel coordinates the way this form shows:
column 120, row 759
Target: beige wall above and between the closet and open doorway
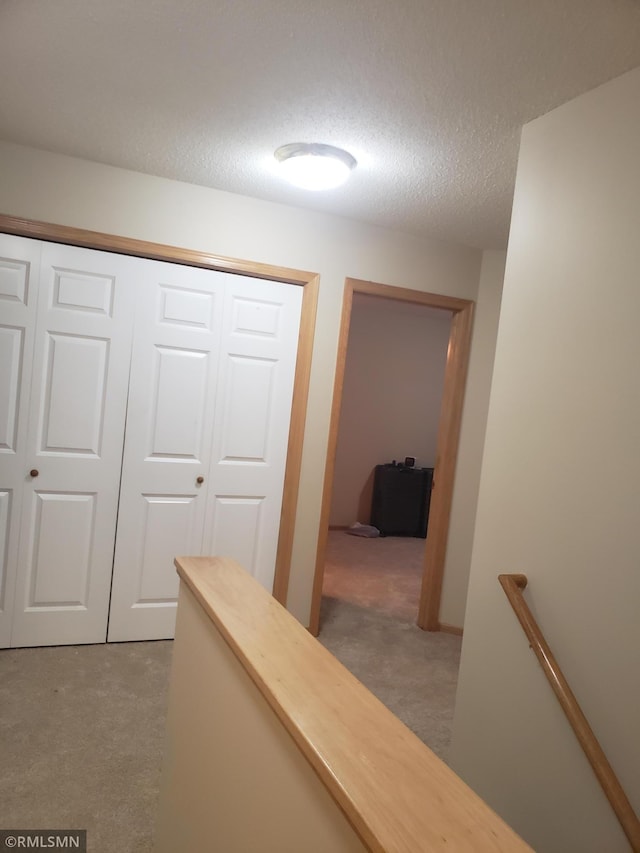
column 67, row 191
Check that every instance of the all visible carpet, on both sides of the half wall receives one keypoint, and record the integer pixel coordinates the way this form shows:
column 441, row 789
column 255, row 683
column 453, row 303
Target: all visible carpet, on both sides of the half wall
column 82, row 727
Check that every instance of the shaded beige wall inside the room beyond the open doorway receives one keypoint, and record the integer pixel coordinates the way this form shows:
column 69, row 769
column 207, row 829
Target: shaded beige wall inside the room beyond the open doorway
column 393, row 380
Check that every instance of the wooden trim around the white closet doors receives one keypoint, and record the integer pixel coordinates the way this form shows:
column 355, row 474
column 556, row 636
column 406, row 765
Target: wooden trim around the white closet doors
column 190, row 257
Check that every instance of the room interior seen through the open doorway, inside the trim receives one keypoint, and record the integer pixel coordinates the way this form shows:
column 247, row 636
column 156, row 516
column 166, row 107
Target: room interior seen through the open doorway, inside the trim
column 390, row 409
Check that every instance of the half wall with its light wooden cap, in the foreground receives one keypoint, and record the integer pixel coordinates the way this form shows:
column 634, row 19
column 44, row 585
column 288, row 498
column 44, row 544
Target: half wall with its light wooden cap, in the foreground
column 235, row 640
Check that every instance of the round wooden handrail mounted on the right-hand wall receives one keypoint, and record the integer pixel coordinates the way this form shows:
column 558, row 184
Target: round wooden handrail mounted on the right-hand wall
column 513, row 586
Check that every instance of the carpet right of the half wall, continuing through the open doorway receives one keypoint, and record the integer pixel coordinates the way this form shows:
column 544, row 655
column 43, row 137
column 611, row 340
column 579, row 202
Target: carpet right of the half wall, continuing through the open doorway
column 369, row 607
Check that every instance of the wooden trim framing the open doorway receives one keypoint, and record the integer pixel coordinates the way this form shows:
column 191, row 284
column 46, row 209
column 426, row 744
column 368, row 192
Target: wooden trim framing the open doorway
column 447, row 445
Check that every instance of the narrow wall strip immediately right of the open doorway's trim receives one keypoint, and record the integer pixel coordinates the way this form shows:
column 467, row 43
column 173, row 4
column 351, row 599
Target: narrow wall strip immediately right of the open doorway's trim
column 474, row 419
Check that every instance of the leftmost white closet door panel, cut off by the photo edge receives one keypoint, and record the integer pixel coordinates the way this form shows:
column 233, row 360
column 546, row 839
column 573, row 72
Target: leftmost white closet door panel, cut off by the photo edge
column 19, row 272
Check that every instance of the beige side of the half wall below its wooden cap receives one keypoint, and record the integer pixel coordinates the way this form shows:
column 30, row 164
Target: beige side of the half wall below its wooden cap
column 233, row 778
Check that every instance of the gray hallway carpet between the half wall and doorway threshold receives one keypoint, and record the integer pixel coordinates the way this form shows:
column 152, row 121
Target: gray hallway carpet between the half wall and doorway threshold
column 413, row 672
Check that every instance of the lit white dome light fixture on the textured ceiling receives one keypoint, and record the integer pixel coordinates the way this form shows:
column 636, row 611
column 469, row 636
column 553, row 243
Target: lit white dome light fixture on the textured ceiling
column 314, row 166
